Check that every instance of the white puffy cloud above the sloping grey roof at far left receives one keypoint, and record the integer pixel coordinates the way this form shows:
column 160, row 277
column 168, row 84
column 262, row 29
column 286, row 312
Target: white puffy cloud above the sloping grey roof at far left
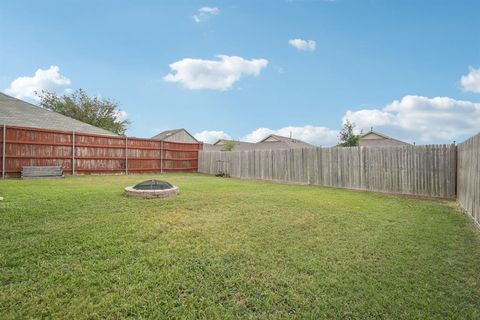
column 44, row 79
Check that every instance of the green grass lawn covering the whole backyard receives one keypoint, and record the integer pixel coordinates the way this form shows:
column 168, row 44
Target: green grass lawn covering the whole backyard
column 226, row 248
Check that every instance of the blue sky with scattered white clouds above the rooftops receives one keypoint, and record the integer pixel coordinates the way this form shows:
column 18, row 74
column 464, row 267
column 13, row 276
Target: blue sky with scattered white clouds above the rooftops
column 394, row 65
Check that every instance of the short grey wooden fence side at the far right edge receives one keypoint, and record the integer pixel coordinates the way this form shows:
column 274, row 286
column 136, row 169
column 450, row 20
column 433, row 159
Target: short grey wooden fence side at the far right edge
column 468, row 177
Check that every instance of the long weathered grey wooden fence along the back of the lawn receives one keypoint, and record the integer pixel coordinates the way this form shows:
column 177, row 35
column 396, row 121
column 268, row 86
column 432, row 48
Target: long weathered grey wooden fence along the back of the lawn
column 415, row 170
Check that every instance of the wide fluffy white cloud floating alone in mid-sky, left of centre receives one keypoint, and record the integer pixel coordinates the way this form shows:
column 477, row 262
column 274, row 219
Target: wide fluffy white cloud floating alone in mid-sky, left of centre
column 212, row 74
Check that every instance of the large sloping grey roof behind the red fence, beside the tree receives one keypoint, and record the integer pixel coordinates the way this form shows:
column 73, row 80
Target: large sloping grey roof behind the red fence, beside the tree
column 16, row 112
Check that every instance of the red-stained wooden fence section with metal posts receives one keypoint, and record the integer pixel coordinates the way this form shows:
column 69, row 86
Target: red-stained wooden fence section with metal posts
column 84, row 153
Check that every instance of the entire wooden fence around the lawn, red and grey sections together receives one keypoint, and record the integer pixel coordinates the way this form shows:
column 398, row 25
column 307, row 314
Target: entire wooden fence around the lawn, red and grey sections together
column 433, row 171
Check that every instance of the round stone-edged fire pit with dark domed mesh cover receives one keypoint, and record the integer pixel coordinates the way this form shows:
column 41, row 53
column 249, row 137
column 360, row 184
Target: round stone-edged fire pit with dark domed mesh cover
column 152, row 189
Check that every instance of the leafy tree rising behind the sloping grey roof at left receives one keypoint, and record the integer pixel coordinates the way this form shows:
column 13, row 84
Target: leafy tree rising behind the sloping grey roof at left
column 100, row 112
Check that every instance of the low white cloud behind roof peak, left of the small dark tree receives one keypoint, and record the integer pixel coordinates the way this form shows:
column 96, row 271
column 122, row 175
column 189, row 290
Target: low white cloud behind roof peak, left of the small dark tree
column 311, row 134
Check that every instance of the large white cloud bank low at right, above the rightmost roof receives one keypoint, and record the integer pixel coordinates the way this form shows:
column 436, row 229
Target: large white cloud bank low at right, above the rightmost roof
column 421, row 119
